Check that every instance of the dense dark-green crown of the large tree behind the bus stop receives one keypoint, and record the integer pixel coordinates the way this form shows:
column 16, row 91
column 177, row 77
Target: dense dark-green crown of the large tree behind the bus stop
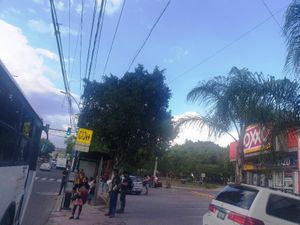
column 129, row 115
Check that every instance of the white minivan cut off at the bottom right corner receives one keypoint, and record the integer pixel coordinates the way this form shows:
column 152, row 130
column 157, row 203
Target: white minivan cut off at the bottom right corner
column 252, row 205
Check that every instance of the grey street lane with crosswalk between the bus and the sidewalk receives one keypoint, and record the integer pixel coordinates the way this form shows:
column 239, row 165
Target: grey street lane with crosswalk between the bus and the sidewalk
column 43, row 196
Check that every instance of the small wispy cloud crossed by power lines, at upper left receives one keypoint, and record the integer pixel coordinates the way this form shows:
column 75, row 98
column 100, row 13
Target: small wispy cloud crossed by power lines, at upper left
column 47, row 28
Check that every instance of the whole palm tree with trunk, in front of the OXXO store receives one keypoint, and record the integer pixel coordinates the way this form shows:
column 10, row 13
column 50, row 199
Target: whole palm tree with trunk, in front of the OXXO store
column 243, row 98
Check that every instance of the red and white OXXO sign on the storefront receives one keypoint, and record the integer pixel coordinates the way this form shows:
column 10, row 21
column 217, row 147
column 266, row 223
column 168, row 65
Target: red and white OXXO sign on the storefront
column 255, row 139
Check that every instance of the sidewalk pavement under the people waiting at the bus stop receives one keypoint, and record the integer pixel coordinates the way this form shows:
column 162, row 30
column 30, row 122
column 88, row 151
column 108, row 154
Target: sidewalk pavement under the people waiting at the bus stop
column 90, row 215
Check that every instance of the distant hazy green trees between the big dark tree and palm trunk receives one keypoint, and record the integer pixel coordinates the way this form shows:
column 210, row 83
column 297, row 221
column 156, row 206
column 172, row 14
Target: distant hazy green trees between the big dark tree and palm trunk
column 197, row 158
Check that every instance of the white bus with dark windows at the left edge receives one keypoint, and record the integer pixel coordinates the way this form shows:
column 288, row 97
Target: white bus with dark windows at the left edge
column 20, row 133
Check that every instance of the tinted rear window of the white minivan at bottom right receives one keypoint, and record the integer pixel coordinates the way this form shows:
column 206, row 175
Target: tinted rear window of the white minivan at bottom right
column 240, row 196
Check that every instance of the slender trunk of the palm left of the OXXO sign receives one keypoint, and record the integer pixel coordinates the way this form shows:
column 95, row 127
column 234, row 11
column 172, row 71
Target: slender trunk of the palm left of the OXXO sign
column 240, row 158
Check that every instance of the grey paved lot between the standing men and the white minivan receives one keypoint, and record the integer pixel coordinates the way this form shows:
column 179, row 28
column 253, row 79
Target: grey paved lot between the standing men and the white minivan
column 165, row 207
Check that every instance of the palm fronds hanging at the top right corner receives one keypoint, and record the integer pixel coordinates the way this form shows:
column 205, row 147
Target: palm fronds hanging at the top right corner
column 291, row 31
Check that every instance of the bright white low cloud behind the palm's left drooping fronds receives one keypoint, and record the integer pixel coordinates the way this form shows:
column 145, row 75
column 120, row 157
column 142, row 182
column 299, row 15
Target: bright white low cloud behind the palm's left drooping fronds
column 194, row 133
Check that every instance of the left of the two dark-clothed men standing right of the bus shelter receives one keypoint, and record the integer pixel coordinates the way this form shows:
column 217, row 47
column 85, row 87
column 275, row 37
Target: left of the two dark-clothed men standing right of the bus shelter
column 113, row 194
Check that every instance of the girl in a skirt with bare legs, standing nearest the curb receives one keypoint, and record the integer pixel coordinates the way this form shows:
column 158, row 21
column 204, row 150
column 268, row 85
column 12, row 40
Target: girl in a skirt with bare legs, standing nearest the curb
column 79, row 199
